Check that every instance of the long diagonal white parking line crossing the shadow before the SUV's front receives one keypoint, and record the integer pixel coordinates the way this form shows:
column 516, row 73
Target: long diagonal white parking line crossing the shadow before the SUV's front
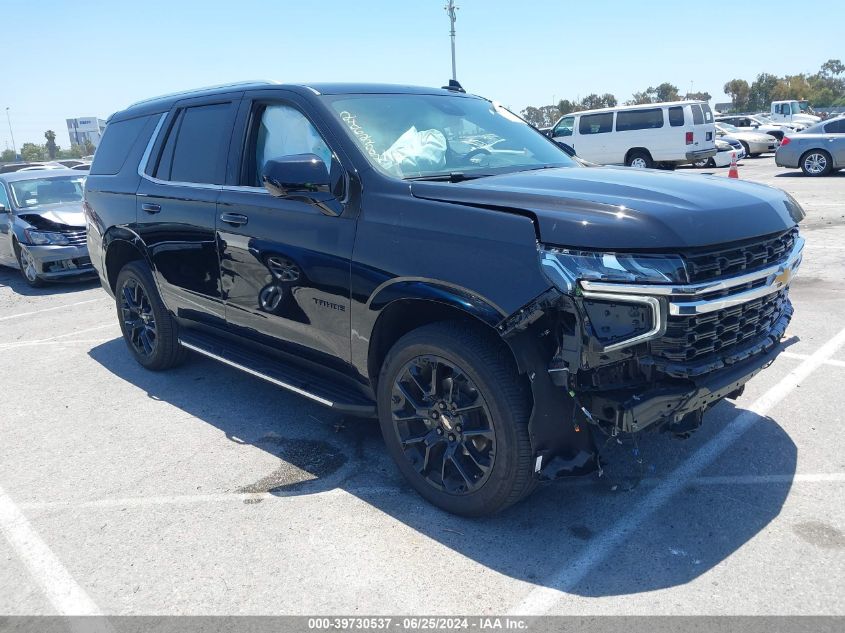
column 543, row 597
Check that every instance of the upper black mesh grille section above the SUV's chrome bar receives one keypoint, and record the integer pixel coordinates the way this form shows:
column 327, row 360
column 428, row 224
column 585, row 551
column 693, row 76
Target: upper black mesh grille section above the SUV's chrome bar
column 739, row 258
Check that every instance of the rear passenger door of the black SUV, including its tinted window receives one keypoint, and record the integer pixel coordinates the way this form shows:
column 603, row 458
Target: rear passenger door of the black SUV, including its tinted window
column 177, row 205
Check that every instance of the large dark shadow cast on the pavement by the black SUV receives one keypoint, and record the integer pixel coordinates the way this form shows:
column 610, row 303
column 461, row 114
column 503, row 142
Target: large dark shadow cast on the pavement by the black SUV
column 319, row 450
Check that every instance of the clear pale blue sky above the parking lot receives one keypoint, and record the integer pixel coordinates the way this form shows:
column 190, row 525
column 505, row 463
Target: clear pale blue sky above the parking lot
column 86, row 58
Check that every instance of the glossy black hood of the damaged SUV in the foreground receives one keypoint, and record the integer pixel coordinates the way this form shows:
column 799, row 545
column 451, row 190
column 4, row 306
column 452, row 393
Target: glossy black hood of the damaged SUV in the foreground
column 620, row 208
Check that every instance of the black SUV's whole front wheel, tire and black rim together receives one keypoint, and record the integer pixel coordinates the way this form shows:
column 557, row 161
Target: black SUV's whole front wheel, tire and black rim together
column 454, row 415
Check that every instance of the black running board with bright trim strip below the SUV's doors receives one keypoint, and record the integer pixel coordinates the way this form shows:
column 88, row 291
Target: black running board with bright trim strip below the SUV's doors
column 287, row 376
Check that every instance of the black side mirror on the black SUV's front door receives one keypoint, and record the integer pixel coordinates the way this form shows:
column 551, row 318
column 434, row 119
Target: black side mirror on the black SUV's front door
column 303, row 177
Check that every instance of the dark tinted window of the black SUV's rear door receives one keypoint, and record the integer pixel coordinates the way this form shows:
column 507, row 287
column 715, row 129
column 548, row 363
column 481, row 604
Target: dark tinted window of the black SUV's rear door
column 195, row 145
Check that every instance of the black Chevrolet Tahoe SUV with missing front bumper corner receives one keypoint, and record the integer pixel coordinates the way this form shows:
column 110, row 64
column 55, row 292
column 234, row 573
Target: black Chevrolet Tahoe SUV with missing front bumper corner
column 426, row 257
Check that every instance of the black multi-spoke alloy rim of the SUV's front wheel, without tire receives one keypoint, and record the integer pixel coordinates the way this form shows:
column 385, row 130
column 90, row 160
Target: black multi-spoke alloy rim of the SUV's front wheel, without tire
column 443, row 425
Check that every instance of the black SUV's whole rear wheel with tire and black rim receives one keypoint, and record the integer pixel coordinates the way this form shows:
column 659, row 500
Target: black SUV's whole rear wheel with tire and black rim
column 150, row 331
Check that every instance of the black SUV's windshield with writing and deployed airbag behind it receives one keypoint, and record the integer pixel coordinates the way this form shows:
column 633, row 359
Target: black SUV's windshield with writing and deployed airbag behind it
column 412, row 136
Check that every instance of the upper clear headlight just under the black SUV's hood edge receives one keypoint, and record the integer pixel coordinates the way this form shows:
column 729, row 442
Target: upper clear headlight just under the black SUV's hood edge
column 564, row 268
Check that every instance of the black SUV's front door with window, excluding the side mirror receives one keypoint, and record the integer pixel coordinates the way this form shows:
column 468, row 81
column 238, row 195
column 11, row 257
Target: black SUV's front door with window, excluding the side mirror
column 285, row 263
